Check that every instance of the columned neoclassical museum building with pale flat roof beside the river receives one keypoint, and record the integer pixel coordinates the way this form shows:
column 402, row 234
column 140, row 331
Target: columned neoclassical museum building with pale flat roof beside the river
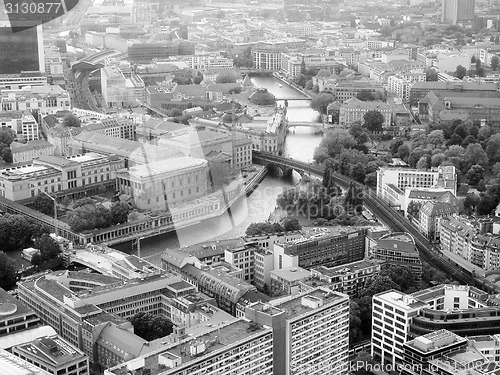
column 158, row 185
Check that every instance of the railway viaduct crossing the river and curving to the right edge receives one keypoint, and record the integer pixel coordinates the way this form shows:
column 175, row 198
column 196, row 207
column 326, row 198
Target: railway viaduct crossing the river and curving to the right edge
column 385, row 213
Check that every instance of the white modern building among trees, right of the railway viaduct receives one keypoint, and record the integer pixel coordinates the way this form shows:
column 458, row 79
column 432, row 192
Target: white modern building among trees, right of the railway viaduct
column 392, row 182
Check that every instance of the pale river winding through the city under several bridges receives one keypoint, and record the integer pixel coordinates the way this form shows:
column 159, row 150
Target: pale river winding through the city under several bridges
column 300, row 145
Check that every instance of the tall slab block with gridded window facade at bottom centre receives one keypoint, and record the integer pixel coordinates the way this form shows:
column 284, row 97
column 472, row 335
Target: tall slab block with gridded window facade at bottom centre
column 310, row 332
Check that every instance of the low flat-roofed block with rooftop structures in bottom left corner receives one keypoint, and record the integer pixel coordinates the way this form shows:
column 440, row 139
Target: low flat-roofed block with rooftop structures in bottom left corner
column 54, row 355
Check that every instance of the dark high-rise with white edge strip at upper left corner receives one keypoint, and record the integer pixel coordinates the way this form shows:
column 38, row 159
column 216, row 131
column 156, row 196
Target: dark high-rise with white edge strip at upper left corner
column 25, row 48
